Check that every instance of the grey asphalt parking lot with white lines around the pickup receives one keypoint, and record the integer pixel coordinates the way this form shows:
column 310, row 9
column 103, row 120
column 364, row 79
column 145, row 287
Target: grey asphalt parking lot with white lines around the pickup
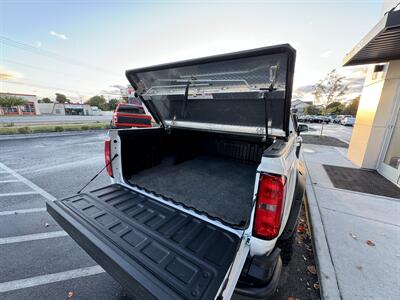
column 38, row 259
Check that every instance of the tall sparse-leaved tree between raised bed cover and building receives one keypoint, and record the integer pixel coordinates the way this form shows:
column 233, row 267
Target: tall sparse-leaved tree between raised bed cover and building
column 330, row 89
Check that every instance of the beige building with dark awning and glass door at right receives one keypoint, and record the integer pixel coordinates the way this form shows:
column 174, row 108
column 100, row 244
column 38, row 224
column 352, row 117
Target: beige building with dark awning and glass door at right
column 375, row 143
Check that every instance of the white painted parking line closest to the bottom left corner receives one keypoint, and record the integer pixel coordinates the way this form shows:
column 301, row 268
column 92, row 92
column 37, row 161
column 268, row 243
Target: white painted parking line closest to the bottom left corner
column 49, row 278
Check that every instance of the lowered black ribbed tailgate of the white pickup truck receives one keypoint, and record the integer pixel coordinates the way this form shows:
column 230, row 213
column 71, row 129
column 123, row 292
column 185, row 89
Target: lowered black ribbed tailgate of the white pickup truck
column 152, row 249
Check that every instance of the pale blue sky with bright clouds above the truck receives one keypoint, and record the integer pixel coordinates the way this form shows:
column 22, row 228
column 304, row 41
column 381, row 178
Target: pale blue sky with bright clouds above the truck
column 82, row 48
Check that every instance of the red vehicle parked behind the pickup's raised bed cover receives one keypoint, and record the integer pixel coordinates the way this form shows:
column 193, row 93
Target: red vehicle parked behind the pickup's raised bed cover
column 129, row 115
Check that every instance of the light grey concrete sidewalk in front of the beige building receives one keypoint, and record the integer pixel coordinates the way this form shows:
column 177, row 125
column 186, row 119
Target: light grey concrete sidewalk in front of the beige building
column 342, row 223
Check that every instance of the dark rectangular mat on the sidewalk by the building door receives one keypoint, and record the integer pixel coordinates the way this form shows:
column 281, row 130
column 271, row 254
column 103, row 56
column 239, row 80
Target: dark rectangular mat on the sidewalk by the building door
column 364, row 181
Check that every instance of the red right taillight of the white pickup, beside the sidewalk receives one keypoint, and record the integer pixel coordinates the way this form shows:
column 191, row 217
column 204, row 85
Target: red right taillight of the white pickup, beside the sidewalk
column 269, row 206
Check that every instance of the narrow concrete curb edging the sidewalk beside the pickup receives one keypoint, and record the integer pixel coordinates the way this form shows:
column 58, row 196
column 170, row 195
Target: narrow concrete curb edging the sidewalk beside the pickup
column 329, row 288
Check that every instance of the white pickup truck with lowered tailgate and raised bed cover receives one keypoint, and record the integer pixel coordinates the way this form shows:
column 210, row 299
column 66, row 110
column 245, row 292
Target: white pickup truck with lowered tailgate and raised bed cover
column 204, row 204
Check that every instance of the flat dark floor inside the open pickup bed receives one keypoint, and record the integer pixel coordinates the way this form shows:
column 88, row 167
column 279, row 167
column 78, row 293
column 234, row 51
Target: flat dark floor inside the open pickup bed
column 221, row 188
